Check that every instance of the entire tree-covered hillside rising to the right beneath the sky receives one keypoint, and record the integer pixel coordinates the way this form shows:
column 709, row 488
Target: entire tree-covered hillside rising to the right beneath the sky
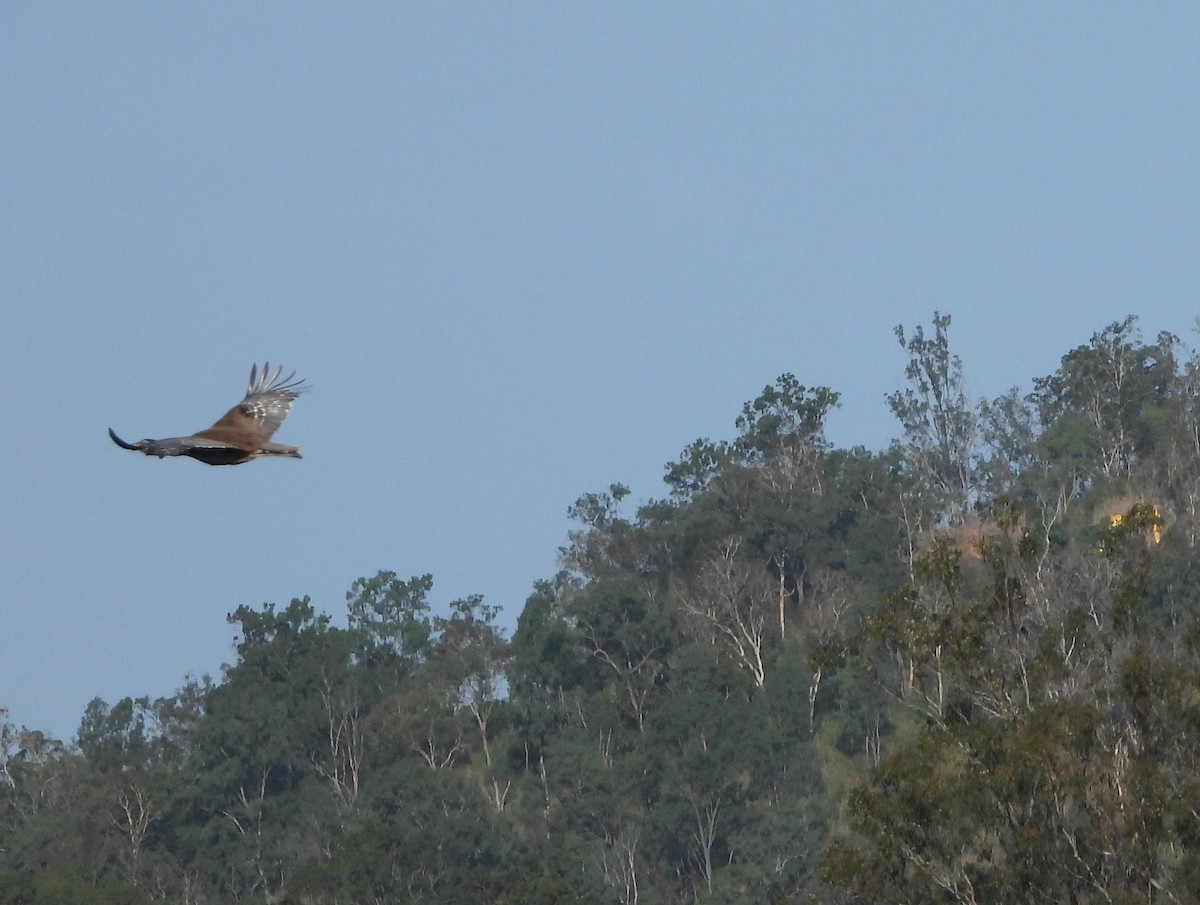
column 965, row 669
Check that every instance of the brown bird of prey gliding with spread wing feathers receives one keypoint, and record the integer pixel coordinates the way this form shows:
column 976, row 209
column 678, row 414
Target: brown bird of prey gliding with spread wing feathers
column 244, row 433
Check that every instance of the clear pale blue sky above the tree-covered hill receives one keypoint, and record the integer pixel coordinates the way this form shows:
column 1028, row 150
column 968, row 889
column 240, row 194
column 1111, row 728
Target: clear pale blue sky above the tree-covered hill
column 521, row 251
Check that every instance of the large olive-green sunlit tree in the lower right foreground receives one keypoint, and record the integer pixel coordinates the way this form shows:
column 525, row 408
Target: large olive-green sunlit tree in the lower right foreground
column 1059, row 734
